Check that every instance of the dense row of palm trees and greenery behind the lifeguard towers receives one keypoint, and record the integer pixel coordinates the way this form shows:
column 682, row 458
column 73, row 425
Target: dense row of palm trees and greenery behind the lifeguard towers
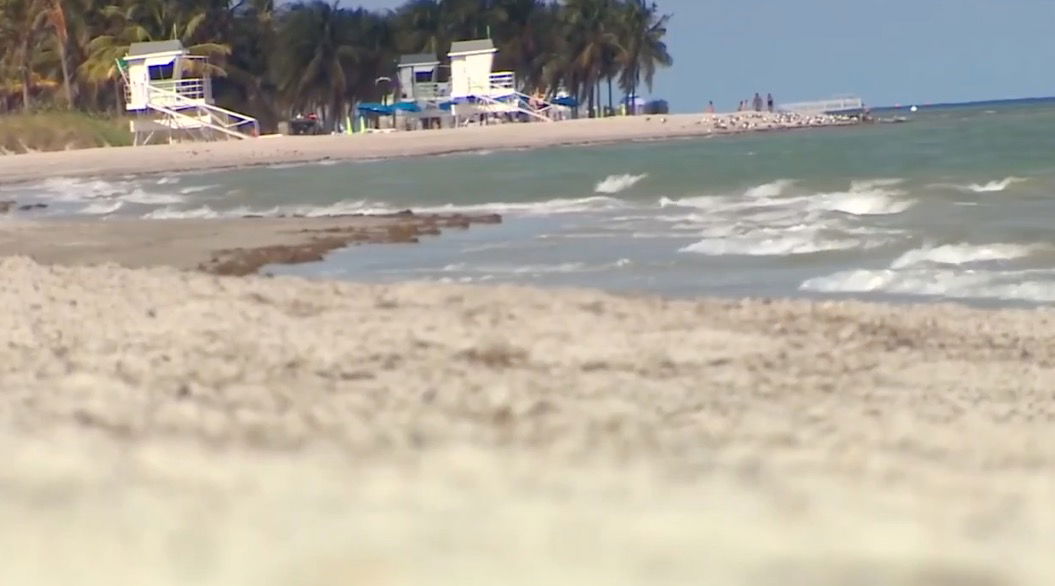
column 273, row 61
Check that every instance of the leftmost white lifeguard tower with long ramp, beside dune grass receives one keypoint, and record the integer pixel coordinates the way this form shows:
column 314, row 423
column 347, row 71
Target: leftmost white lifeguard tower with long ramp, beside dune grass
column 171, row 92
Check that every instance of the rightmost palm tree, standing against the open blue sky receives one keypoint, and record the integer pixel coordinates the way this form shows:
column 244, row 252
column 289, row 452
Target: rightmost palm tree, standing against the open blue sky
column 643, row 31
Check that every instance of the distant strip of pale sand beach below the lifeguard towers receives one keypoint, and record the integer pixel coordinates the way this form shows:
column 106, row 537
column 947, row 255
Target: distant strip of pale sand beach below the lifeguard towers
column 303, row 150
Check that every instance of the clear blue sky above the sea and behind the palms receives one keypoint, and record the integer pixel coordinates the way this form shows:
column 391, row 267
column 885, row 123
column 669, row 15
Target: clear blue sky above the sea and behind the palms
column 889, row 52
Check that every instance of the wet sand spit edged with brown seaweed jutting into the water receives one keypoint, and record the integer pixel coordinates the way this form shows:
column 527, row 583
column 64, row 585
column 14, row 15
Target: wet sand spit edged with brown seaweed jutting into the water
column 238, row 247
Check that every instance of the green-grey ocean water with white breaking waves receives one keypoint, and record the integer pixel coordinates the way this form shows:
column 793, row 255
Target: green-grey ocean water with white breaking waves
column 957, row 204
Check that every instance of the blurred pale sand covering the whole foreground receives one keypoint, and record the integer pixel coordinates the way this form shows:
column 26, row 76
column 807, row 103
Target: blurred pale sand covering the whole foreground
column 165, row 428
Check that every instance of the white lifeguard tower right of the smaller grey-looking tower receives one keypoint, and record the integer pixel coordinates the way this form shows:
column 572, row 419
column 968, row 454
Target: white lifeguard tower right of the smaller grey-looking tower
column 477, row 90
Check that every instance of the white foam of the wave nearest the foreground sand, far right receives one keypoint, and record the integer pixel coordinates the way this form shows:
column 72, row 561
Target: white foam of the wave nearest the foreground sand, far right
column 1024, row 286
